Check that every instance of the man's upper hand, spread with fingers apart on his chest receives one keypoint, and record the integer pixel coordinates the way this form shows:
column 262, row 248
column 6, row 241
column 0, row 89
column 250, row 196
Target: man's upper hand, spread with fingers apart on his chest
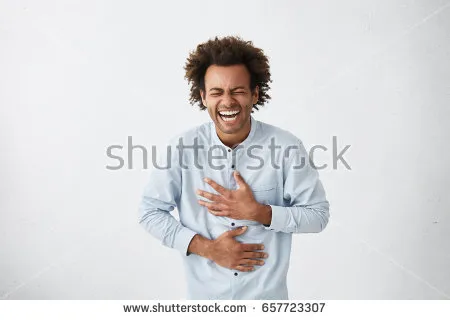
column 236, row 204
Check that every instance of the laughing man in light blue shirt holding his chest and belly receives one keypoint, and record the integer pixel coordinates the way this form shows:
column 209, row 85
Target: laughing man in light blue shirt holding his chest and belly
column 242, row 187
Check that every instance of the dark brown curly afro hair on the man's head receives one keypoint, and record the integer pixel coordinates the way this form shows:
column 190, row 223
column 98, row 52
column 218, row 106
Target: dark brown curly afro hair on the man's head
column 227, row 51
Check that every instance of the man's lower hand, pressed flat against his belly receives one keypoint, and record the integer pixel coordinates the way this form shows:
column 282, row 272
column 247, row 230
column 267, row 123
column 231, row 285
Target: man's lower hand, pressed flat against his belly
column 231, row 254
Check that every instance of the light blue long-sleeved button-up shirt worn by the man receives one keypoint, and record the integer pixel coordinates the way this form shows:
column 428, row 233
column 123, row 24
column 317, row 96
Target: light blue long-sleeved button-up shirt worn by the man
column 281, row 176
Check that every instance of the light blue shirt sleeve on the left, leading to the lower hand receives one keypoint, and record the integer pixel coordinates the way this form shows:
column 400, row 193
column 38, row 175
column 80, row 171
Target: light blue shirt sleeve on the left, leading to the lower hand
column 160, row 196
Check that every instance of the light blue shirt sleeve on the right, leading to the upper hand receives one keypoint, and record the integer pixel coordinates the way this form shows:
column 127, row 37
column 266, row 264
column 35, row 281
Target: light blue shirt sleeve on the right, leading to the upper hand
column 305, row 209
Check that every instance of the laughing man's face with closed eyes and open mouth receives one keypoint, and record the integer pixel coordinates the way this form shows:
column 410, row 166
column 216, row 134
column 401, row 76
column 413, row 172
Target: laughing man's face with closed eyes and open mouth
column 228, row 99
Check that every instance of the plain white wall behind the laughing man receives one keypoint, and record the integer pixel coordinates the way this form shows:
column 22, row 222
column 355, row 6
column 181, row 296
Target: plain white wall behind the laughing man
column 76, row 78
